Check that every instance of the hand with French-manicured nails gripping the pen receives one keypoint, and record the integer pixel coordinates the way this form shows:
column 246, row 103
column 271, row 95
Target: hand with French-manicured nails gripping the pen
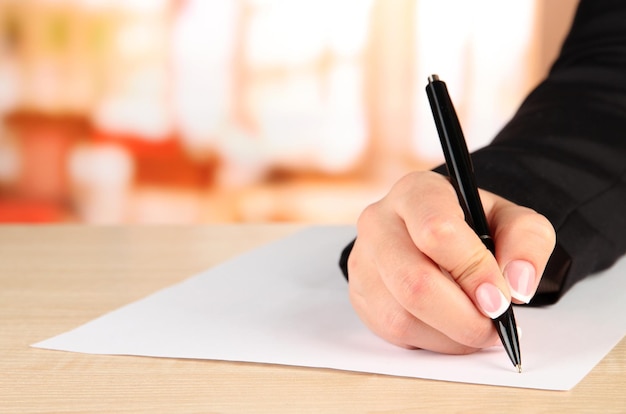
column 421, row 278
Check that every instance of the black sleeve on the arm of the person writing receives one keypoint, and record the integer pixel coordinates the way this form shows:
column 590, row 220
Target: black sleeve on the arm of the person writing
column 564, row 152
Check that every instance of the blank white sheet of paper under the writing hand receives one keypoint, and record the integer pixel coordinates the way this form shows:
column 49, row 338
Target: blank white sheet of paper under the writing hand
column 287, row 303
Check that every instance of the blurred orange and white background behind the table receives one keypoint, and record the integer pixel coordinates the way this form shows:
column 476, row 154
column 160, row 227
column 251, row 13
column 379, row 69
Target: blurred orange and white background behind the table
column 207, row 111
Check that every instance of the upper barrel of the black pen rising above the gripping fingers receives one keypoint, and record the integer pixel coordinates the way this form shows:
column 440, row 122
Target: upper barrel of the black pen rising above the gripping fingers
column 458, row 160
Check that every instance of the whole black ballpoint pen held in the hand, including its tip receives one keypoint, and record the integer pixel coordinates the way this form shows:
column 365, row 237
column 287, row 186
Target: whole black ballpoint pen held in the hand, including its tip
column 461, row 172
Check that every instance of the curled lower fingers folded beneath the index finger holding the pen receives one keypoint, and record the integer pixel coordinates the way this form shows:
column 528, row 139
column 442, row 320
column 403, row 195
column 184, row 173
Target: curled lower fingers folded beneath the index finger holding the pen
column 405, row 298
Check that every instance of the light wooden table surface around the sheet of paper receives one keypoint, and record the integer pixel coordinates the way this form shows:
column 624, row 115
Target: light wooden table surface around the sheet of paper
column 54, row 278
